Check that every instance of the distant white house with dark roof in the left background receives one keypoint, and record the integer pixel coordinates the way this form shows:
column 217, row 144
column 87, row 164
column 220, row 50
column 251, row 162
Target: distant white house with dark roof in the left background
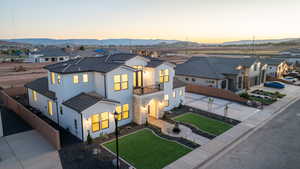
column 48, row 54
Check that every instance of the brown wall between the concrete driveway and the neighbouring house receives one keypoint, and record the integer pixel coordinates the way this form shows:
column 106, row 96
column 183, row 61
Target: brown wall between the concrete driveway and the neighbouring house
column 215, row 92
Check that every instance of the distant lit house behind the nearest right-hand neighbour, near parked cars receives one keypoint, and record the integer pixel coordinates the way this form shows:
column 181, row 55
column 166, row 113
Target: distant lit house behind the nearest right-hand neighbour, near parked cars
column 275, row 67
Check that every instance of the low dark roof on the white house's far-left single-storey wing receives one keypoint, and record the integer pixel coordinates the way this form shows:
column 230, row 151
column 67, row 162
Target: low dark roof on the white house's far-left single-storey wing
column 41, row 86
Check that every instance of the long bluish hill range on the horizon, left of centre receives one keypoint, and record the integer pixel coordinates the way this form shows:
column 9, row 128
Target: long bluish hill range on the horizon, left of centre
column 45, row 41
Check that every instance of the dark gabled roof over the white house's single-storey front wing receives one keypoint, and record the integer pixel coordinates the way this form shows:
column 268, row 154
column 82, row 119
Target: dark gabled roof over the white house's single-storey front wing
column 84, row 101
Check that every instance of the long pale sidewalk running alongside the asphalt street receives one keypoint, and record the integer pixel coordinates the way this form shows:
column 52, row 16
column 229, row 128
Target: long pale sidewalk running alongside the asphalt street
column 201, row 155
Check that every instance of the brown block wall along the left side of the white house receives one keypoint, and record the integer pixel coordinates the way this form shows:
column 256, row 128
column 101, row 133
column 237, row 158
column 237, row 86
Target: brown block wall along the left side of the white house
column 47, row 131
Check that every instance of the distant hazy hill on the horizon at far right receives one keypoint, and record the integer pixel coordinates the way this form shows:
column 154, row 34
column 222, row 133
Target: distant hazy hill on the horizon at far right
column 265, row 41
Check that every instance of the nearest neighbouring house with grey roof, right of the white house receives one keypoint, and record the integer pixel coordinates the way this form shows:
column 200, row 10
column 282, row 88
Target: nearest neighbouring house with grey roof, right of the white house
column 235, row 74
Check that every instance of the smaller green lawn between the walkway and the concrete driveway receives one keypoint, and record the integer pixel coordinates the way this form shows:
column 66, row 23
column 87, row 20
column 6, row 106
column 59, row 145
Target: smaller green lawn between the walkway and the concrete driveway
column 203, row 123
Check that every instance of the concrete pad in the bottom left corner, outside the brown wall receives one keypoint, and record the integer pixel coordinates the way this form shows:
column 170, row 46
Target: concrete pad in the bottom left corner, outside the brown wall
column 27, row 150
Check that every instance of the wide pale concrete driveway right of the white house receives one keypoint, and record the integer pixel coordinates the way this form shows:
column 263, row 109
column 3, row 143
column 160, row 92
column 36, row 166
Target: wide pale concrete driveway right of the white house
column 235, row 110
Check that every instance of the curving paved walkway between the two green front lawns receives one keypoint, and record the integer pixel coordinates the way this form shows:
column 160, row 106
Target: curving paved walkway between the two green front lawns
column 186, row 132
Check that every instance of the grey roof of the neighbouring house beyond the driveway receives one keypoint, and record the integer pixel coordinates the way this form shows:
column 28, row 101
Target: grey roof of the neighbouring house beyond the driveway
column 212, row 67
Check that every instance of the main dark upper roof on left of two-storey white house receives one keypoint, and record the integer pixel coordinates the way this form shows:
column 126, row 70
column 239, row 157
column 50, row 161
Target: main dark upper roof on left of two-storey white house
column 101, row 64
